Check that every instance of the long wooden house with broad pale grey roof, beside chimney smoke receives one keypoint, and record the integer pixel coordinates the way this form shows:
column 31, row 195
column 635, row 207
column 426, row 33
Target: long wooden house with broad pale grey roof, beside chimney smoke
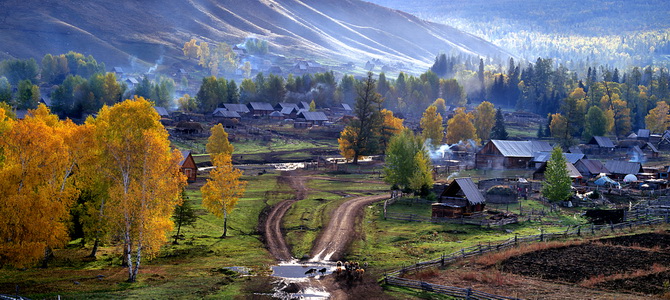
column 500, row 154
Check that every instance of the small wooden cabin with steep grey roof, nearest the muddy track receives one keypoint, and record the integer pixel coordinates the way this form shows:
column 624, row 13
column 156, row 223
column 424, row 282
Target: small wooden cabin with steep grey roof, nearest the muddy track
column 460, row 198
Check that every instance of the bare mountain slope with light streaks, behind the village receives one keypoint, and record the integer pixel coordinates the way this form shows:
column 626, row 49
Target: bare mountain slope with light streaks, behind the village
column 114, row 32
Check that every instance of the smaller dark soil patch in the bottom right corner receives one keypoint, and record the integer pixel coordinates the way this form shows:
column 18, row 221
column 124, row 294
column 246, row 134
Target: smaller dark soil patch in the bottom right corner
column 652, row 284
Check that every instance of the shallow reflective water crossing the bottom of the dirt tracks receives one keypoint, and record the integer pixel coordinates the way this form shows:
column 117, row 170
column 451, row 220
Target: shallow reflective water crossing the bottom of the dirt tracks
column 300, row 280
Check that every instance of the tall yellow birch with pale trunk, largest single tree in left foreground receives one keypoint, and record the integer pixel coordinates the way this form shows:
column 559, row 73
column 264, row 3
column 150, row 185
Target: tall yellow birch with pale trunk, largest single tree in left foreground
column 145, row 181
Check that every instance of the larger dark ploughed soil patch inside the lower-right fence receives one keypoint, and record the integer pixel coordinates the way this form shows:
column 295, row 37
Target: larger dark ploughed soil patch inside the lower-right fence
column 576, row 263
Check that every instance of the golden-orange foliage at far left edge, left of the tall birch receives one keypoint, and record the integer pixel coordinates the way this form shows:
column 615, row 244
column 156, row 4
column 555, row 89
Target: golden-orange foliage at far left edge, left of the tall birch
column 35, row 164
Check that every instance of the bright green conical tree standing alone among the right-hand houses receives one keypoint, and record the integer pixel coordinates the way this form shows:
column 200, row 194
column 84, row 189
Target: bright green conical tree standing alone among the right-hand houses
column 556, row 185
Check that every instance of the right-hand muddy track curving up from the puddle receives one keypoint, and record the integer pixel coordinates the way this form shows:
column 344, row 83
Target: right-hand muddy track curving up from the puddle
column 339, row 233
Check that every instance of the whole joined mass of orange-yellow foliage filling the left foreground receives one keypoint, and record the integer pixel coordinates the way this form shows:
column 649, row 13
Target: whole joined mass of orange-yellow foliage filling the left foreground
column 42, row 157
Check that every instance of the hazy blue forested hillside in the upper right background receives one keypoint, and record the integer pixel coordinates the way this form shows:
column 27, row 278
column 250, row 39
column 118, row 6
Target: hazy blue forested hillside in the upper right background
column 619, row 33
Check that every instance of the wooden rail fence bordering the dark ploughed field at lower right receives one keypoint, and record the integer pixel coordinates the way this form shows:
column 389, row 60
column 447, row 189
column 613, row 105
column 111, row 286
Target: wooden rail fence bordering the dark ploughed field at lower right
column 395, row 277
